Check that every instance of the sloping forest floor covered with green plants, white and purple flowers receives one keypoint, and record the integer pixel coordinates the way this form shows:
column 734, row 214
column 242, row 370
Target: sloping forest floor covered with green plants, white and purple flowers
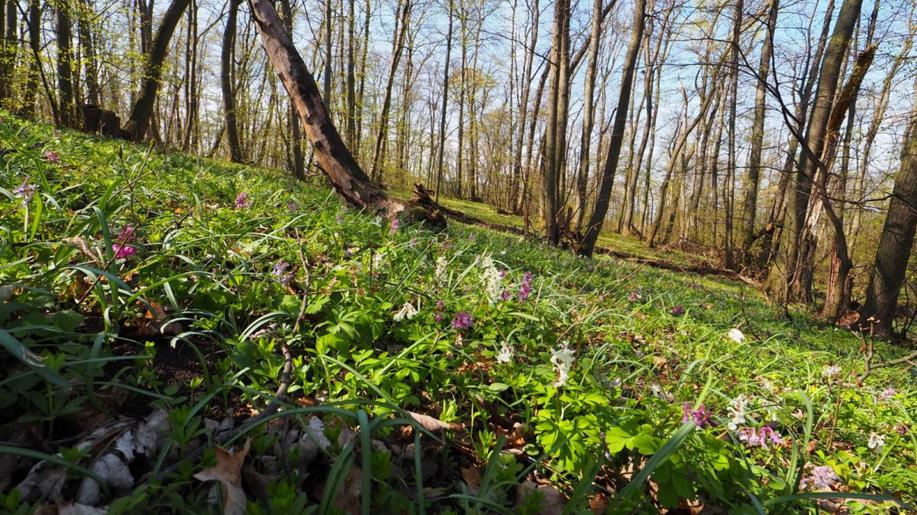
column 187, row 335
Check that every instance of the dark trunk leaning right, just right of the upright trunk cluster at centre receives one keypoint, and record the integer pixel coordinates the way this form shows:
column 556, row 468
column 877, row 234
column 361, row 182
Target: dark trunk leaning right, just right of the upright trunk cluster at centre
column 603, row 198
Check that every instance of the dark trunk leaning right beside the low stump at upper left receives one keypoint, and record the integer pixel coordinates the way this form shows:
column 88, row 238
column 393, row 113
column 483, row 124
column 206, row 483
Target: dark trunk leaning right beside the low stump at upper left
column 142, row 112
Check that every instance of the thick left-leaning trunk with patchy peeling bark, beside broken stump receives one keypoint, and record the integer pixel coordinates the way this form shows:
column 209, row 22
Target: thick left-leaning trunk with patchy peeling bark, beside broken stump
column 335, row 159
